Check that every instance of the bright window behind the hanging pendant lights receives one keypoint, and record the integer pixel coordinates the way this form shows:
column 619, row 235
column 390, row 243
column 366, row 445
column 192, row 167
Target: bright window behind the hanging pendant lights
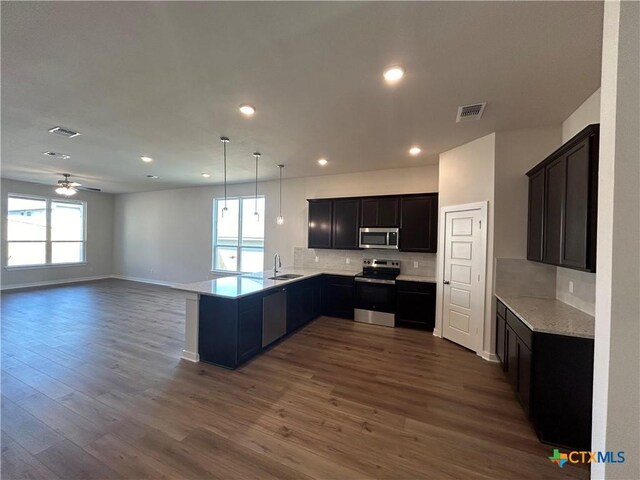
column 238, row 237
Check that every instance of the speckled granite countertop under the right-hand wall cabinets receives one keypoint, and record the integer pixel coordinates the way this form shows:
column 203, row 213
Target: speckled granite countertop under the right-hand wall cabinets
column 548, row 315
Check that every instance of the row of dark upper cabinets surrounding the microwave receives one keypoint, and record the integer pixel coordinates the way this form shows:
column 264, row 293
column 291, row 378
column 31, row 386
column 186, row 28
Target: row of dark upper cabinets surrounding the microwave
column 335, row 223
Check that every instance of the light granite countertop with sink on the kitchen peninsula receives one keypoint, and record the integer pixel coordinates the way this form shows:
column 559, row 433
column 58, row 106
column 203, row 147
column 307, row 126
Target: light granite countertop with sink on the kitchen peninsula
column 237, row 286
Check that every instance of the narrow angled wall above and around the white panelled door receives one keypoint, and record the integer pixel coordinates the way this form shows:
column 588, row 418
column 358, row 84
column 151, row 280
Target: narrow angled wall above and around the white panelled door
column 467, row 175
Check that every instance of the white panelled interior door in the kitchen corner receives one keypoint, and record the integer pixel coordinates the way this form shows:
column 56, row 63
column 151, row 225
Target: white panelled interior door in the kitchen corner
column 464, row 269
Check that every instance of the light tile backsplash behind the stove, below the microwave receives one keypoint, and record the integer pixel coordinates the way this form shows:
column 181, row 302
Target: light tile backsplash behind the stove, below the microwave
column 337, row 260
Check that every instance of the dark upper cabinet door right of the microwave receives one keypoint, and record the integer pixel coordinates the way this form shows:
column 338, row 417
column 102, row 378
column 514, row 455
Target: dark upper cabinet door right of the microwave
column 419, row 223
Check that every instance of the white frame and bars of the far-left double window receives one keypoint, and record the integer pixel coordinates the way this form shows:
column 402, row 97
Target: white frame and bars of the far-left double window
column 47, row 241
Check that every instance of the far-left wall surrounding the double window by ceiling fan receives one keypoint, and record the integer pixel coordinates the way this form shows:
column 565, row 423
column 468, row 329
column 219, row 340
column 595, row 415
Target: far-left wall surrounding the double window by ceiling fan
column 99, row 239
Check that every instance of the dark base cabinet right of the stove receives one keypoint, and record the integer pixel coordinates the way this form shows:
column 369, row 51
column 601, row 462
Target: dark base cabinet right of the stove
column 416, row 305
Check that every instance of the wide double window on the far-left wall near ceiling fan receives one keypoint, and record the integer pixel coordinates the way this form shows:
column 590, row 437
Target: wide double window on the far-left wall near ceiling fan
column 42, row 231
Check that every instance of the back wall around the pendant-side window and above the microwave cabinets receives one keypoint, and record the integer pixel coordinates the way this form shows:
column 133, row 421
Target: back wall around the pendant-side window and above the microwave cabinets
column 165, row 236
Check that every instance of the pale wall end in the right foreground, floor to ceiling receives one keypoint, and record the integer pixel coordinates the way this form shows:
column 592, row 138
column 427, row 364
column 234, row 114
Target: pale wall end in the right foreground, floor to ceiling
column 616, row 395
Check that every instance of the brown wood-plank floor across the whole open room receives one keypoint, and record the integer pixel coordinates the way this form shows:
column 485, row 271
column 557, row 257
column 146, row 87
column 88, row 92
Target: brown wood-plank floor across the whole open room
column 93, row 388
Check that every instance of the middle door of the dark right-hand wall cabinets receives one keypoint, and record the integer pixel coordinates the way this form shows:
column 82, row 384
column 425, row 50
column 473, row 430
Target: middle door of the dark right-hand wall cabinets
column 554, row 218
